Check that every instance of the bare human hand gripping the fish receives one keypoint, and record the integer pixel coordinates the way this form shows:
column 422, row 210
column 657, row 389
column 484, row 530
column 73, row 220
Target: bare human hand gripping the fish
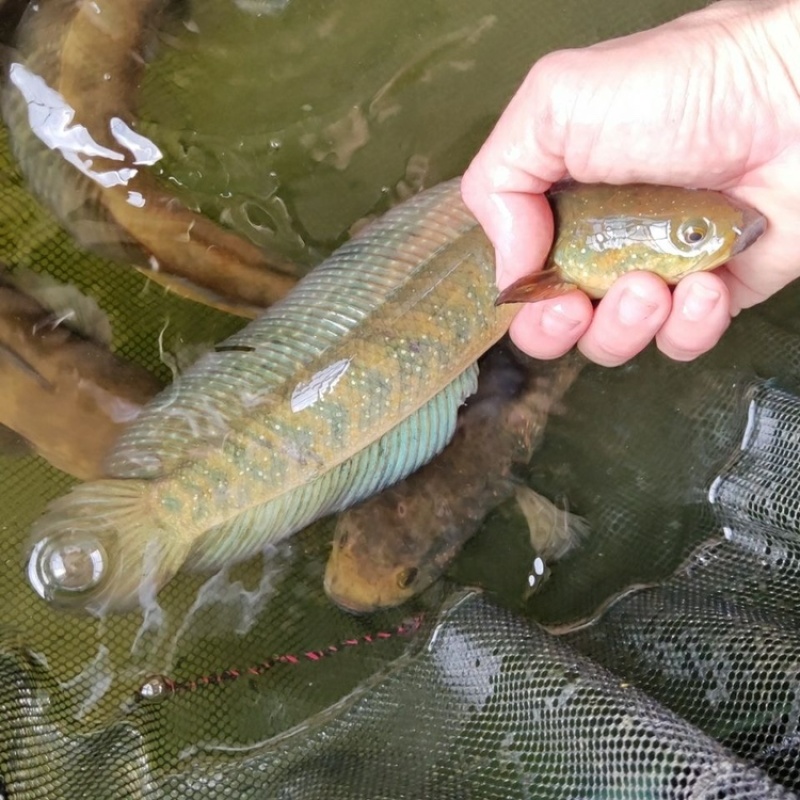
column 709, row 100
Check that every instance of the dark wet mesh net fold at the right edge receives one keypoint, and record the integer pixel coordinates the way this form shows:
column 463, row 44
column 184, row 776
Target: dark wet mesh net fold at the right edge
column 719, row 642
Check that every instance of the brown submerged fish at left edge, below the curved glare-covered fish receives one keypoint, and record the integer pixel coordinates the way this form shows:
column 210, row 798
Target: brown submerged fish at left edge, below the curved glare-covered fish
column 62, row 390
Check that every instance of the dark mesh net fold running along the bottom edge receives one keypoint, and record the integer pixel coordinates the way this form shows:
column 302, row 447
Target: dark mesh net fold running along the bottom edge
column 484, row 705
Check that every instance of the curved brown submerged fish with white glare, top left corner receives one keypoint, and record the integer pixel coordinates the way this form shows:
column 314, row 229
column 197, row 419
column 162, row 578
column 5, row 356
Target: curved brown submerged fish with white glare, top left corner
column 69, row 104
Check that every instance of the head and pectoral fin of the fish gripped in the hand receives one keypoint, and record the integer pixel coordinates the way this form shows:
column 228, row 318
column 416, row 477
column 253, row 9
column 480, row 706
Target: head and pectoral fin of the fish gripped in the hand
column 666, row 230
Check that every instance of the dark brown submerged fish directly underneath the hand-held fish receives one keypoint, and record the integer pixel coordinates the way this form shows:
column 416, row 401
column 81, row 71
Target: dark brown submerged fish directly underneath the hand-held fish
column 397, row 543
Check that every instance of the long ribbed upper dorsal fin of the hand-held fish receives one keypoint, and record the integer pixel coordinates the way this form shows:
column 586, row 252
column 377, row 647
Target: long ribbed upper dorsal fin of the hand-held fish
column 295, row 336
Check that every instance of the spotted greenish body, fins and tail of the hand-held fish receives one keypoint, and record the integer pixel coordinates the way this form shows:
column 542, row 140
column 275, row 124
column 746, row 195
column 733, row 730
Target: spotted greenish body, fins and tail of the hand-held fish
column 342, row 388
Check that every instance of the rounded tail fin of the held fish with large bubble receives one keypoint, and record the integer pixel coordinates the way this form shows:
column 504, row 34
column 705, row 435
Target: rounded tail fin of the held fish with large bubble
column 101, row 548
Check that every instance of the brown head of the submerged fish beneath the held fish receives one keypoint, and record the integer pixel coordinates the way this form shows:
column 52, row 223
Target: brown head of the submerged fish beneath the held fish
column 380, row 557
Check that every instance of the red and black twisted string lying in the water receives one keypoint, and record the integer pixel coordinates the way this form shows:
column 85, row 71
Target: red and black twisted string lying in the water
column 159, row 687
